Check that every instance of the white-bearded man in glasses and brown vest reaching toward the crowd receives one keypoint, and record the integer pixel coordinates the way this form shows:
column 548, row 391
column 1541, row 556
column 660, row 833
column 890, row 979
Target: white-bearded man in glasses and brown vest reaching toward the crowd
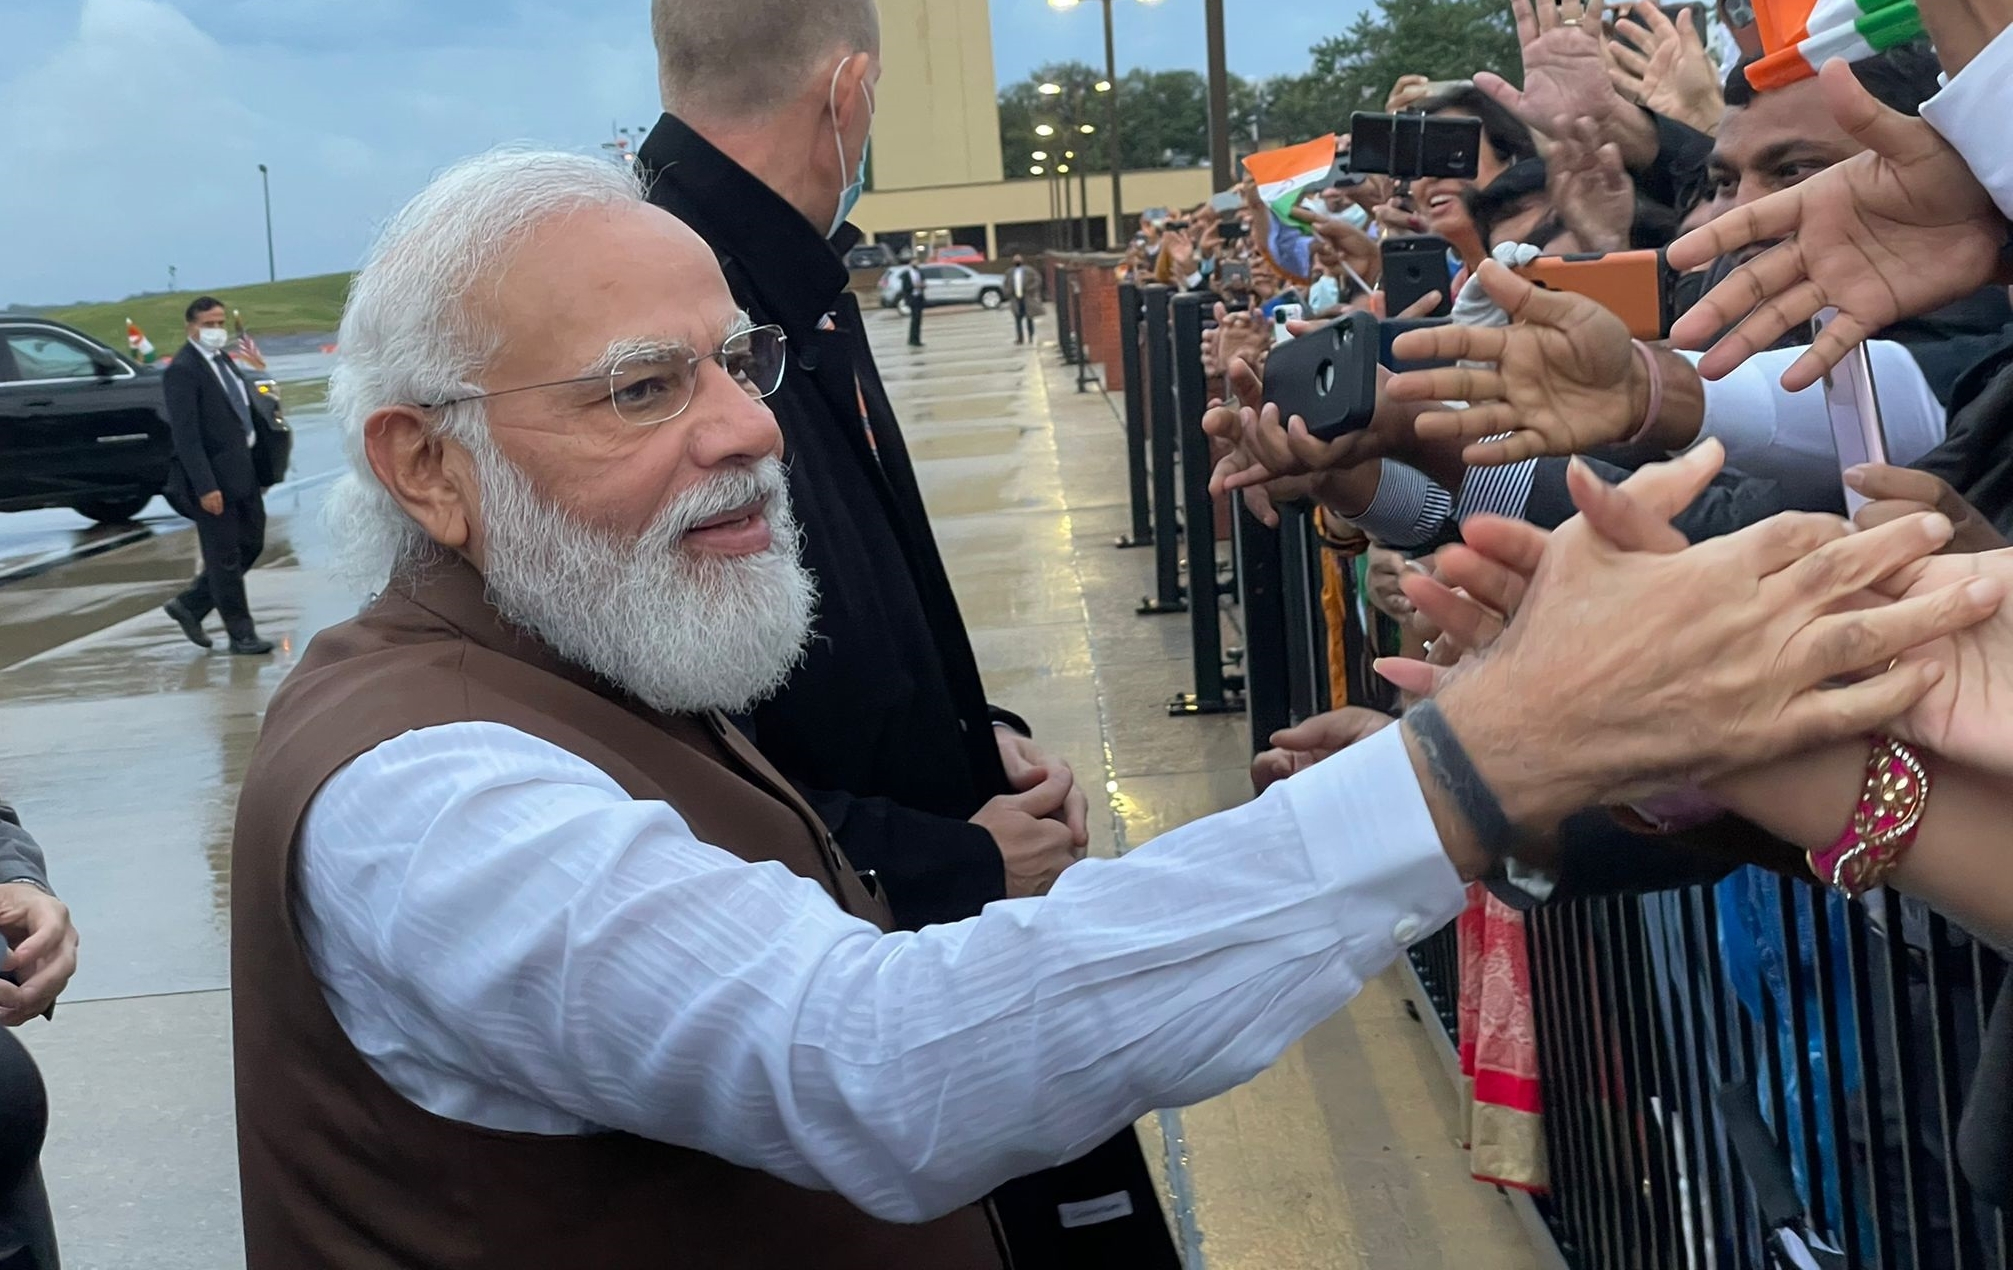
column 538, row 963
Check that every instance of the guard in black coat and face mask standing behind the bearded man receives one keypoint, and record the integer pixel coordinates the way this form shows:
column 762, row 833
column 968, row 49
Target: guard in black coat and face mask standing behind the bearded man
column 885, row 726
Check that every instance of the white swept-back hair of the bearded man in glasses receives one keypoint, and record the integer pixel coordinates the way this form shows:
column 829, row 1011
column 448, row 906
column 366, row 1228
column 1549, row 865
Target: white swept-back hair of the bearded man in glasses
column 414, row 329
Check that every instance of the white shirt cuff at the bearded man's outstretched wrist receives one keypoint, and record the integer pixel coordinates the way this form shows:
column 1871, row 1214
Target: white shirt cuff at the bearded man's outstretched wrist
column 1372, row 838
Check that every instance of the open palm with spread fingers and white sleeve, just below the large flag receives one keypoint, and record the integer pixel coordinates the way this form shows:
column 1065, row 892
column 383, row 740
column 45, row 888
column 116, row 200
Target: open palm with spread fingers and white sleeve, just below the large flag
column 1883, row 236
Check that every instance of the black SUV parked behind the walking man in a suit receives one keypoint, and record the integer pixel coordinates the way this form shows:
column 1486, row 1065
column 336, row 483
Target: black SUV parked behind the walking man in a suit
column 86, row 428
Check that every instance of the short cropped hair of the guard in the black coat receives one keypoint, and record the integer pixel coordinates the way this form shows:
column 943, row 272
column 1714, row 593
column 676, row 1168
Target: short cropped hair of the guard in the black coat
column 742, row 59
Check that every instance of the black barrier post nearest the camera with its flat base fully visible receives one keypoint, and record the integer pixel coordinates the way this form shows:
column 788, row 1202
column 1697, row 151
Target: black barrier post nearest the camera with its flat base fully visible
column 1205, row 619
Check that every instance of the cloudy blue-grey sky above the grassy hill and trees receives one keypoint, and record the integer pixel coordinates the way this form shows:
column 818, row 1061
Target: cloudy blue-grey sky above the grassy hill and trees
column 136, row 128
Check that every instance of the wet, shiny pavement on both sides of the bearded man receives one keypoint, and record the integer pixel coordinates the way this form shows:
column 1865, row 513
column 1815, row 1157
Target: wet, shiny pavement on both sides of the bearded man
column 124, row 748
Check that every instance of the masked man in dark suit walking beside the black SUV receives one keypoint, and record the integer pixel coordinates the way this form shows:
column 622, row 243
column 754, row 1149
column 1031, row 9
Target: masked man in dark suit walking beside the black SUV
column 214, row 480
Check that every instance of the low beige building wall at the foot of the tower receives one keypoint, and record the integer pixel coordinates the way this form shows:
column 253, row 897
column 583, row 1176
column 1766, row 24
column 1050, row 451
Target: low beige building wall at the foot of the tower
column 1012, row 202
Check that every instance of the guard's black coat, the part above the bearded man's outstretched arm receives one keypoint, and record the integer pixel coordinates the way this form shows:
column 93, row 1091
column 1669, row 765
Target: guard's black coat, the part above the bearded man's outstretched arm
column 887, row 726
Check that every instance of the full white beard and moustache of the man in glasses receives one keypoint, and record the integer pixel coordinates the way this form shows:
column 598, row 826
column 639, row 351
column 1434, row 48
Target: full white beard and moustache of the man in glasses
column 681, row 633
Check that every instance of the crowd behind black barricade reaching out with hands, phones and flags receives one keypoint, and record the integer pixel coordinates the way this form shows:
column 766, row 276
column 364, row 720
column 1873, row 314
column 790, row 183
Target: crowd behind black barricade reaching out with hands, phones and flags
column 1835, row 241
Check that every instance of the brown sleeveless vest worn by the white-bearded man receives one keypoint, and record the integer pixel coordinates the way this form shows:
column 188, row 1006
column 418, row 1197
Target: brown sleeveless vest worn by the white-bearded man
column 343, row 1172
